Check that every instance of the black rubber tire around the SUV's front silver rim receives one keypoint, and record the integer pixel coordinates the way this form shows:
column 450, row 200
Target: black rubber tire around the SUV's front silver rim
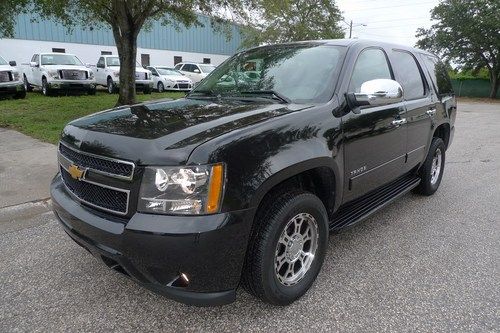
column 260, row 276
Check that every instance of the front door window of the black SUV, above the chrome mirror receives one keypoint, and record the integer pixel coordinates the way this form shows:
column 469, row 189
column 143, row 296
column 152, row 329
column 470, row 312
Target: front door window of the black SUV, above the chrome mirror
column 370, row 65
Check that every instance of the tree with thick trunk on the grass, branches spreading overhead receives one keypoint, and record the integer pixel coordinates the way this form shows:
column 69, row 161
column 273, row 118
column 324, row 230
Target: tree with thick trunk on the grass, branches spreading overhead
column 127, row 18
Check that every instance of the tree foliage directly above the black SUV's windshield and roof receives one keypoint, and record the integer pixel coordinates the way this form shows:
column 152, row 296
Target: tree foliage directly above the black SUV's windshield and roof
column 279, row 21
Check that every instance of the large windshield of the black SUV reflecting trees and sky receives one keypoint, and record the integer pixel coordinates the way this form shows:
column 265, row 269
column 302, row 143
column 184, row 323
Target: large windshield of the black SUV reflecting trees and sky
column 302, row 73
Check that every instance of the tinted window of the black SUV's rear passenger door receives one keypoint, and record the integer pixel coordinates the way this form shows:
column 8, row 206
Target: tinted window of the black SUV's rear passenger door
column 408, row 75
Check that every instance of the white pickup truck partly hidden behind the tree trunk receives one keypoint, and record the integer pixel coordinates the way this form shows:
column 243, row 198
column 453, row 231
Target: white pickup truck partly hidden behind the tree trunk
column 108, row 75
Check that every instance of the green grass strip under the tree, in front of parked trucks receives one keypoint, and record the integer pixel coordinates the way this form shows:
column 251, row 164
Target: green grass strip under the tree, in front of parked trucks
column 44, row 117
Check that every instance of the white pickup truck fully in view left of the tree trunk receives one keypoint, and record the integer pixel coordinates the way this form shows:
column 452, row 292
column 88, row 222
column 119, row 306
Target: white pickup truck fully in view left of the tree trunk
column 58, row 72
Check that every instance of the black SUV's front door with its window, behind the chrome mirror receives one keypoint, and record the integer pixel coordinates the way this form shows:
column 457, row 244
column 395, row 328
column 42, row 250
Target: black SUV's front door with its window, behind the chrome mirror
column 375, row 138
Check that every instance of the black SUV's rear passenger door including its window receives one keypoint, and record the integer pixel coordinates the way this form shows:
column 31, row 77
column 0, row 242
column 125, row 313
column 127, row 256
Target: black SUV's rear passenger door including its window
column 420, row 108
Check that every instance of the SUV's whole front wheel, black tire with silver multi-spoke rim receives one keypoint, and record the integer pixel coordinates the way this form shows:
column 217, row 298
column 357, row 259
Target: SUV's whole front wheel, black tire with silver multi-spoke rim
column 287, row 247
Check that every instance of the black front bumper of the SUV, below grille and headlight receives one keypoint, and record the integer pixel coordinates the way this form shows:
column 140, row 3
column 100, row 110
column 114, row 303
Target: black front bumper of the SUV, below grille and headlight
column 156, row 250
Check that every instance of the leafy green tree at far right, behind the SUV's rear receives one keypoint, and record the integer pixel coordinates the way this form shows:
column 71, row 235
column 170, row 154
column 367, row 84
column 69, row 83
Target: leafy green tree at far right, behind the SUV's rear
column 467, row 33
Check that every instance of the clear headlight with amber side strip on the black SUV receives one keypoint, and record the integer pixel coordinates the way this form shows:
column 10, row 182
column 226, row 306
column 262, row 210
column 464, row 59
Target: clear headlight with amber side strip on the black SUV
column 182, row 190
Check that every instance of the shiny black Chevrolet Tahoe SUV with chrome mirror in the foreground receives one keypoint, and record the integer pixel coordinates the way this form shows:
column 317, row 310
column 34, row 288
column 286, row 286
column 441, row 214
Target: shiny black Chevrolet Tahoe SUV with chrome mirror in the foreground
column 242, row 180
